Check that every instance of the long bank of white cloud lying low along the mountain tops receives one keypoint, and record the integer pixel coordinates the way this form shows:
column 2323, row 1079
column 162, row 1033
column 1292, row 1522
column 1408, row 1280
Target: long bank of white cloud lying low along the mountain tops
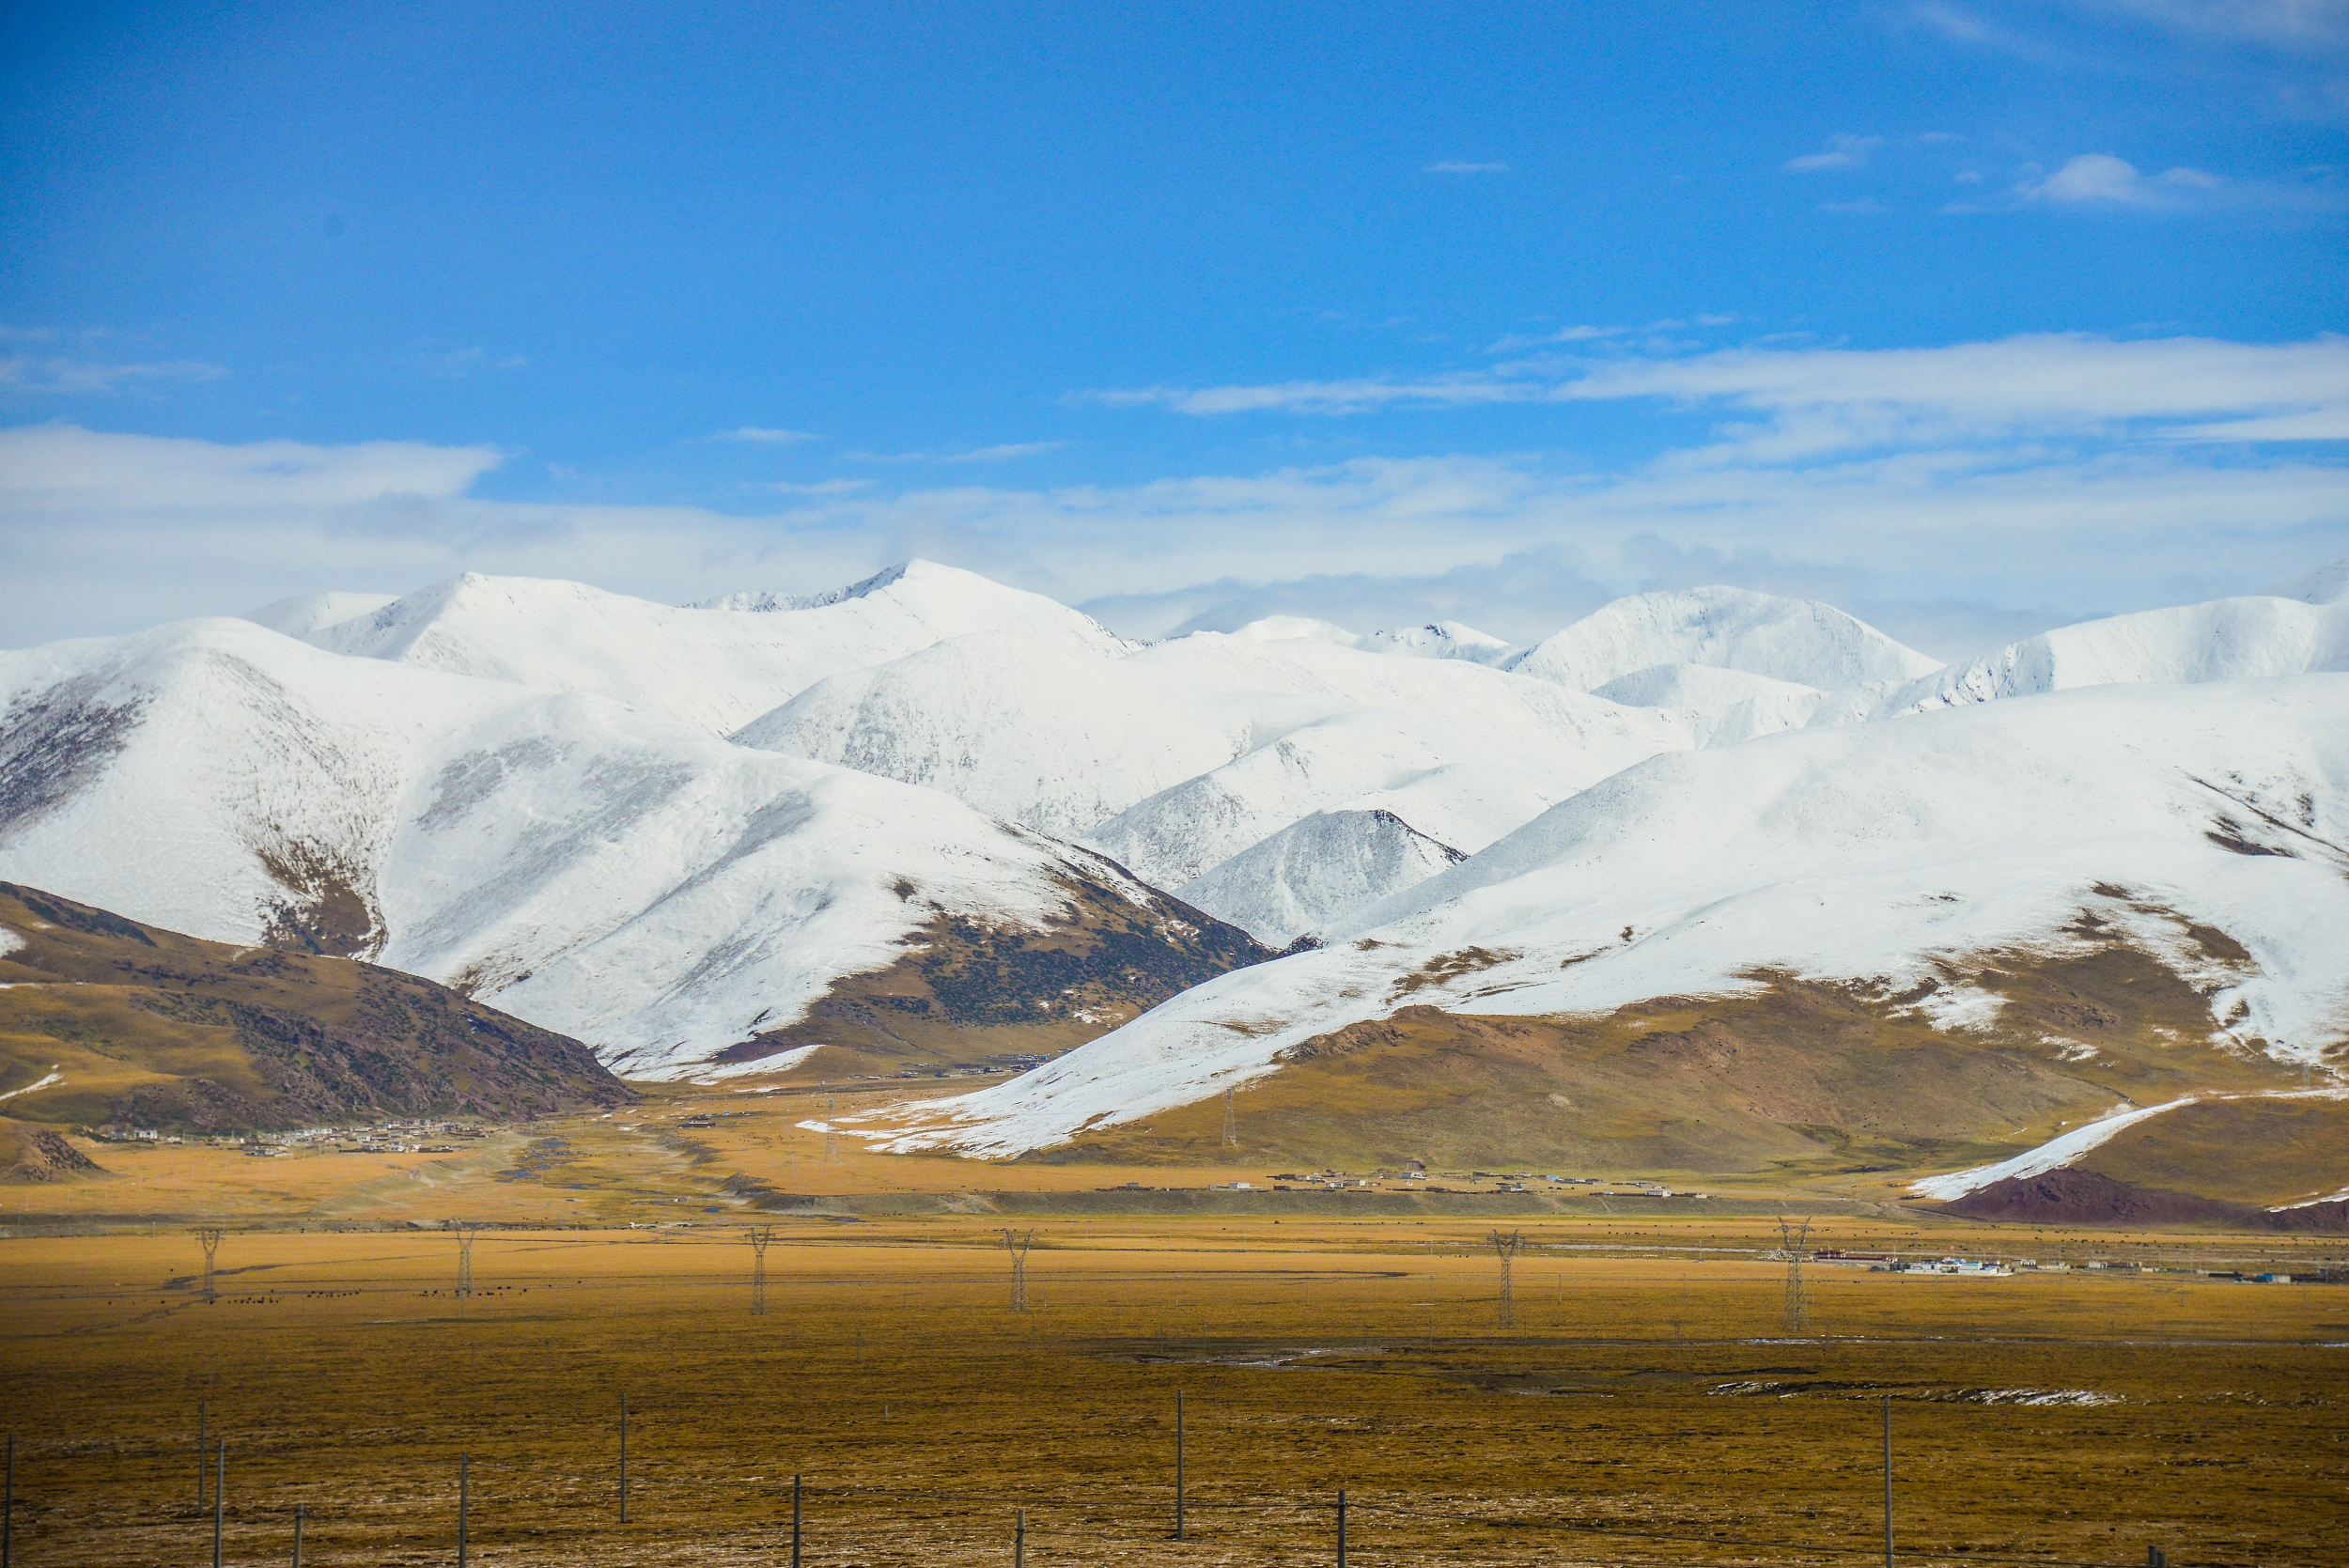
column 1953, row 494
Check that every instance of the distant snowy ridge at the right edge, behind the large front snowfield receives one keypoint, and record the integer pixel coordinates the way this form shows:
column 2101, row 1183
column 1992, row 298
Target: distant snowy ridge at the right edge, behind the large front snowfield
column 2228, row 640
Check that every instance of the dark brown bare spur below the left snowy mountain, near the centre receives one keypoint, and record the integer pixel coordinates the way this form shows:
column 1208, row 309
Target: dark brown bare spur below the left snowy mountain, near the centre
column 967, row 992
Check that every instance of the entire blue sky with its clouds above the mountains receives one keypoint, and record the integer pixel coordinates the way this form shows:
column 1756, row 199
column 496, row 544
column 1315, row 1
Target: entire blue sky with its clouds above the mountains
column 1972, row 318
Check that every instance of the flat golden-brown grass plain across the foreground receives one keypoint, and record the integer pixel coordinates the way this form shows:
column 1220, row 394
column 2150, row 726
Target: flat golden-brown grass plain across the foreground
column 1648, row 1407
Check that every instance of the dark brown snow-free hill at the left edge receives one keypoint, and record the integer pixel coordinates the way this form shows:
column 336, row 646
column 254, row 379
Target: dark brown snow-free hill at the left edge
column 159, row 1029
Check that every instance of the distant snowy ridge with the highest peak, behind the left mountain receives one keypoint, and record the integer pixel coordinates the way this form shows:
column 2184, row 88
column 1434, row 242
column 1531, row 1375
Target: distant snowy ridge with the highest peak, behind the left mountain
column 713, row 670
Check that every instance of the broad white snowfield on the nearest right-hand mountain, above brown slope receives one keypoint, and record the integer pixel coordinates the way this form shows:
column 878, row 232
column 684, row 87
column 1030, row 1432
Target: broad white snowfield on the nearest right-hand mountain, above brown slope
column 1885, row 853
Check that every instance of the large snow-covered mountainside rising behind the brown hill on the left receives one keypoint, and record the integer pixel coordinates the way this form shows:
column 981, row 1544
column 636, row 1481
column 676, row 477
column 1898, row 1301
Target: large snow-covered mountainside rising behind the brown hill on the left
column 593, row 870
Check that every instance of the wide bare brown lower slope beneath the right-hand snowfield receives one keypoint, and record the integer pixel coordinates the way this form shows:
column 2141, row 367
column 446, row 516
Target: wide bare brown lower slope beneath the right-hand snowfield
column 1798, row 1079
